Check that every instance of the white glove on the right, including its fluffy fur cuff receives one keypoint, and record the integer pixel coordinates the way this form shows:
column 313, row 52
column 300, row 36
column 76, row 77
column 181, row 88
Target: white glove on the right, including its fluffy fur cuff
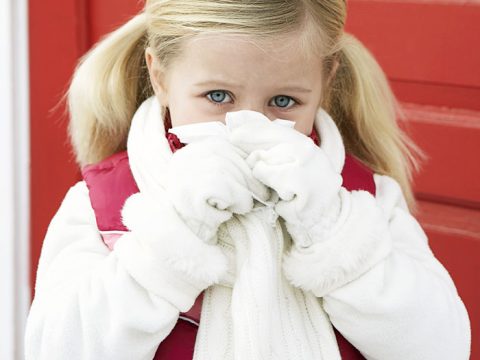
column 338, row 235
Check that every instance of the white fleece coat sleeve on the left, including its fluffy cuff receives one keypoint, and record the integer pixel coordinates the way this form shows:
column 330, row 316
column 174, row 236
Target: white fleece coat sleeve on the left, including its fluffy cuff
column 92, row 303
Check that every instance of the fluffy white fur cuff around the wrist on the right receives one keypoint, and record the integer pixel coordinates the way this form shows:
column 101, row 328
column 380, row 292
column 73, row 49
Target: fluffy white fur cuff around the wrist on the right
column 359, row 240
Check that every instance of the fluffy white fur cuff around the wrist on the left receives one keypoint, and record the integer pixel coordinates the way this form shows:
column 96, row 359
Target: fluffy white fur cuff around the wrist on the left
column 164, row 255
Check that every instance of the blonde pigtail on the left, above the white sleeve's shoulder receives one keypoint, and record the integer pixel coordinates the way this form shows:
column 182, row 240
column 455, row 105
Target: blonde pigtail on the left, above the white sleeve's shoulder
column 109, row 84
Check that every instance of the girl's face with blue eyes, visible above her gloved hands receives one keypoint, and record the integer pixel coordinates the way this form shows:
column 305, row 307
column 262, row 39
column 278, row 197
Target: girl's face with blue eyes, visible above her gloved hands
column 217, row 74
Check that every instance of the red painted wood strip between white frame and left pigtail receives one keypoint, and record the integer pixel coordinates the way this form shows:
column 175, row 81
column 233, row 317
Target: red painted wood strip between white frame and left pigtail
column 55, row 45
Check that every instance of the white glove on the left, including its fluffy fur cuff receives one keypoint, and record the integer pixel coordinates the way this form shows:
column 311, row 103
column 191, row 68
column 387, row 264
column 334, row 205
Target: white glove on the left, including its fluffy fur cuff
column 171, row 249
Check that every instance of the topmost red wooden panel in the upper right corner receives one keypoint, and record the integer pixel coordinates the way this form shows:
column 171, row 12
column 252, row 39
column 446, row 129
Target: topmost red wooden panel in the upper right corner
column 426, row 42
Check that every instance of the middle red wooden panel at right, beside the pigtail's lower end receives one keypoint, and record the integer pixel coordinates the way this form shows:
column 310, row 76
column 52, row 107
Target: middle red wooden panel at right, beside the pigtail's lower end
column 451, row 139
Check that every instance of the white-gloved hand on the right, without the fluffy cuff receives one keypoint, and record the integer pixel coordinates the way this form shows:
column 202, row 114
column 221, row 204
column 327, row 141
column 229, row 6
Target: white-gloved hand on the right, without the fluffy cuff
column 298, row 170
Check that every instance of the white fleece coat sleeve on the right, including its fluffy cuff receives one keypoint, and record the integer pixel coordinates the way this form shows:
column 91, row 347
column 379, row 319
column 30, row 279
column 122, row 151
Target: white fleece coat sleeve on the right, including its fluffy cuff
column 382, row 286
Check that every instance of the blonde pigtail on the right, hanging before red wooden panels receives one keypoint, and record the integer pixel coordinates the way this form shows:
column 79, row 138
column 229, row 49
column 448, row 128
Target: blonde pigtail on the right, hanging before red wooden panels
column 360, row 99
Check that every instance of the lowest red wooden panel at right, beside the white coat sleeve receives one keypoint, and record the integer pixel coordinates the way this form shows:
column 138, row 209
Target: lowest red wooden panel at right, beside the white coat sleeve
column 454, row 236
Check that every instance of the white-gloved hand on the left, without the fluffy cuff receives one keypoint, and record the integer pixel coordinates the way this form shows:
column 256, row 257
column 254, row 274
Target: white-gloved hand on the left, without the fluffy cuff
column 208, row 181
